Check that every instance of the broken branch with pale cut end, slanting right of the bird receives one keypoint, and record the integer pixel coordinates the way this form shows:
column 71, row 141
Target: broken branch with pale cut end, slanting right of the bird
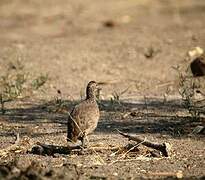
column 164, row 148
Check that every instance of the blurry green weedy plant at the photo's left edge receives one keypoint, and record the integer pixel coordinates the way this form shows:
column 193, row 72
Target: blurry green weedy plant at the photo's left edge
column 14, row 83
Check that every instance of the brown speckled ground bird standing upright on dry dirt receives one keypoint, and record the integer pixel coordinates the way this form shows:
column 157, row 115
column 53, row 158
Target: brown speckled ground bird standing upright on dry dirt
column 84, row 117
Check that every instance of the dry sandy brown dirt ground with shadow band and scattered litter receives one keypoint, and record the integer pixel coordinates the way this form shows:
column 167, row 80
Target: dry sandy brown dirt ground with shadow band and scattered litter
column 131, row 45
